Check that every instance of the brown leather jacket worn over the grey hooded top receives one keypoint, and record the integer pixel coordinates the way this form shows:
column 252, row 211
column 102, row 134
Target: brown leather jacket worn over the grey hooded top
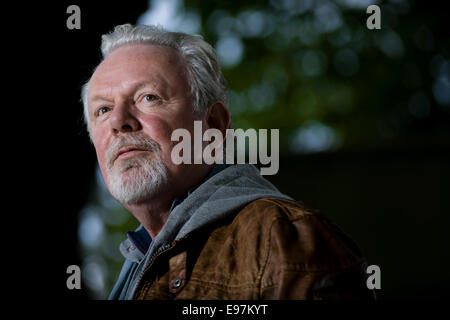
column 271, row 249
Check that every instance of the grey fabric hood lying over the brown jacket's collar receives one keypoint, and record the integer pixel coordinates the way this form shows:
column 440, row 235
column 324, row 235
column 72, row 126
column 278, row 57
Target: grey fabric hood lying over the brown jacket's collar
column 224, row 193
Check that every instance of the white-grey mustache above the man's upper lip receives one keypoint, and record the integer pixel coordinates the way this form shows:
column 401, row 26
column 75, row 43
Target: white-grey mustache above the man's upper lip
column 138, row 141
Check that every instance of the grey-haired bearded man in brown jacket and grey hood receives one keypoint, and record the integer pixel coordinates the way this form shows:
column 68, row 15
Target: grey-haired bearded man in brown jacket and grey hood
column 208, row 231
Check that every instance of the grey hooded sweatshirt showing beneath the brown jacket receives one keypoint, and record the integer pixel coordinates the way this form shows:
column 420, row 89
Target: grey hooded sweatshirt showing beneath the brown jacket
column 226, row 190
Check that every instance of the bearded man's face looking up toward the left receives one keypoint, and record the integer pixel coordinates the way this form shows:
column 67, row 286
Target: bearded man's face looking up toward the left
column 137, row 96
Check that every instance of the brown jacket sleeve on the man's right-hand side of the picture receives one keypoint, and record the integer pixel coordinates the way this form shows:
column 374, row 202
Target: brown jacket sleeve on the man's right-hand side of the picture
column 310, row 258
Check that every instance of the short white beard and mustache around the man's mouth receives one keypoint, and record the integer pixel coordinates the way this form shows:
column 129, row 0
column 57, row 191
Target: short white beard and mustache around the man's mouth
column 134, row 180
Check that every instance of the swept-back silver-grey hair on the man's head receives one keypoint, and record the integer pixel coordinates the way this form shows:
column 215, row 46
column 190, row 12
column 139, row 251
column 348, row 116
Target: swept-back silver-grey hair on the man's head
column 205, row 78
